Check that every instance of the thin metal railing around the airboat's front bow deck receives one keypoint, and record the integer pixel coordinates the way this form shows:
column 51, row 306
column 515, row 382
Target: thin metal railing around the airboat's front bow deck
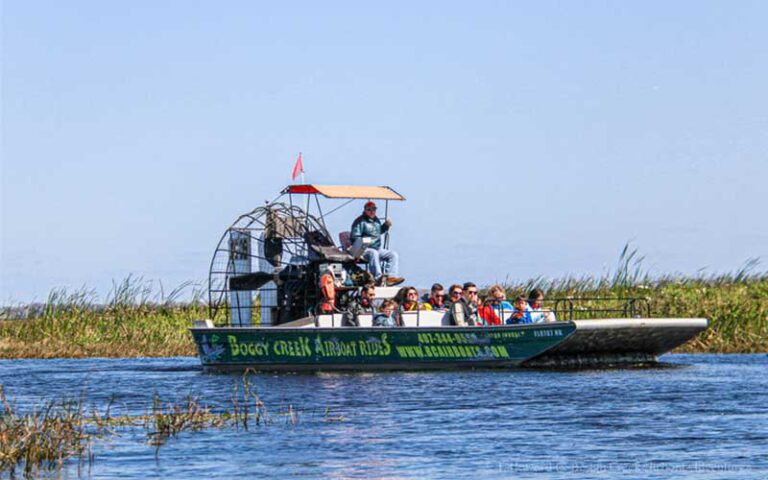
column 580, row 308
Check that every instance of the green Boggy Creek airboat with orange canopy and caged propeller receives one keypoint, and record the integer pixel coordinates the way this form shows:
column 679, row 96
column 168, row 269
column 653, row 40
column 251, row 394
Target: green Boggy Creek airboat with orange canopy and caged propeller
column 265, row 294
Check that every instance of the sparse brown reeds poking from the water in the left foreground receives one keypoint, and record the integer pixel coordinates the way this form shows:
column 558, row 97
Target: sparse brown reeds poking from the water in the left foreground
column 64, row 430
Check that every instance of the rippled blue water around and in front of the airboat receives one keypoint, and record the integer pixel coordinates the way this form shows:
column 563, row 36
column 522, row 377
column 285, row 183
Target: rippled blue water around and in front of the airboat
column 702, row 416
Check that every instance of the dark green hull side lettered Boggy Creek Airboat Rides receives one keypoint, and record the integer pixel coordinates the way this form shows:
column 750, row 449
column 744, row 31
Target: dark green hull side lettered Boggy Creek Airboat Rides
column 356, row 348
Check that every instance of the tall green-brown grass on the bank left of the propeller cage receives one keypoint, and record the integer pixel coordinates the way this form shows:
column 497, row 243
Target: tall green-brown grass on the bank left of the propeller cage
column 136, row 320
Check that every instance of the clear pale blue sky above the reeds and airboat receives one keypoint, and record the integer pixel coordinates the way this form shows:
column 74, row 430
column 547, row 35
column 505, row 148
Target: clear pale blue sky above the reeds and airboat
column 530, row 138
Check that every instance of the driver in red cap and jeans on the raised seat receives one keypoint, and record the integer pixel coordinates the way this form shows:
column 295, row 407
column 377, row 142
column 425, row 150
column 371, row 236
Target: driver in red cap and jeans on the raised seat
column 368, row 229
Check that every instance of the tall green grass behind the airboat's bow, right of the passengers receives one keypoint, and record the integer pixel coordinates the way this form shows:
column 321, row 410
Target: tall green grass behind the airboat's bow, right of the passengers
column 735, row 303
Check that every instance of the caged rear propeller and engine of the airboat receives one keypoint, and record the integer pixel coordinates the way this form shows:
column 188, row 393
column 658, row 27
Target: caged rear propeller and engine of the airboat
column 267, row 268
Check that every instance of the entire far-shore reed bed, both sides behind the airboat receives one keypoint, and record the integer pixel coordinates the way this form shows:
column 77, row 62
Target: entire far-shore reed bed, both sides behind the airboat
column 140, row 319
